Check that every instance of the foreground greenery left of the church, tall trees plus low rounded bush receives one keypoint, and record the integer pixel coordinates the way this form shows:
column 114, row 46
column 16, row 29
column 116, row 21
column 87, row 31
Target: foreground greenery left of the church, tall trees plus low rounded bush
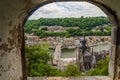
column 39, row 63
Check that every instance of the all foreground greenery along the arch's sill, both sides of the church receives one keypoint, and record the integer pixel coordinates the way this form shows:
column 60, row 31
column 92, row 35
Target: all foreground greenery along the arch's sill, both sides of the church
column 39, row 64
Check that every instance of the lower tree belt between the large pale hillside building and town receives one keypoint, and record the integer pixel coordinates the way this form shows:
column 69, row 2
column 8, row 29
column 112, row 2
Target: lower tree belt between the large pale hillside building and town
column 74, row 32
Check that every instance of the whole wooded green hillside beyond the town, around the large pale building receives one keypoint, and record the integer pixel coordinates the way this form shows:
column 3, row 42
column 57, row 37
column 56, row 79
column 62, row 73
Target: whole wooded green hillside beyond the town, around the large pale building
column 86, row 25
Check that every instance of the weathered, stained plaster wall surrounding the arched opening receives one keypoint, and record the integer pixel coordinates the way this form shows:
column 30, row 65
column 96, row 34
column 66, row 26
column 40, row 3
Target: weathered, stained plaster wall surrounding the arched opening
column 13, row 14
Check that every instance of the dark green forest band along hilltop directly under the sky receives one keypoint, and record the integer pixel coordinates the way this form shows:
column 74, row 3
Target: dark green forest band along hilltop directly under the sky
column 83, row 23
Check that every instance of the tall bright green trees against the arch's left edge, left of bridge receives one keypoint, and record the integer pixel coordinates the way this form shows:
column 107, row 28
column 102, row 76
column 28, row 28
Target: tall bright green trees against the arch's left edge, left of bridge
column 38, row 60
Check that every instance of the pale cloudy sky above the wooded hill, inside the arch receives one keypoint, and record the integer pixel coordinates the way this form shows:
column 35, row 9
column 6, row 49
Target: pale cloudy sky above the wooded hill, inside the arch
column 67, row 9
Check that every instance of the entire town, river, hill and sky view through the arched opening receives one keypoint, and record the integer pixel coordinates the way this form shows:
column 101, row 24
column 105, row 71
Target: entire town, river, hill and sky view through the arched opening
column 67, row 39
